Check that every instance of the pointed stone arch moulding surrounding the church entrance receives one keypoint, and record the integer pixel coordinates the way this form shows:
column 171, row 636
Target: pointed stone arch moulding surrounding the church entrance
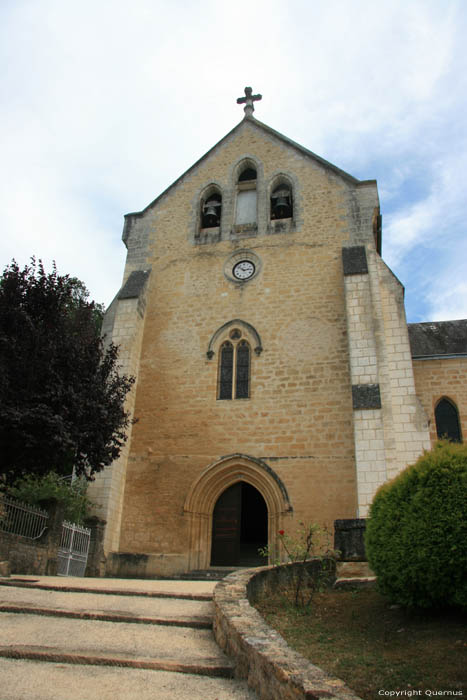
column 212, row 482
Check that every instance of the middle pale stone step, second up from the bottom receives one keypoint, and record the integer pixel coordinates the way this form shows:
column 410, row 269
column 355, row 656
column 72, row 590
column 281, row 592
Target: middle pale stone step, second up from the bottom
column 95, row 642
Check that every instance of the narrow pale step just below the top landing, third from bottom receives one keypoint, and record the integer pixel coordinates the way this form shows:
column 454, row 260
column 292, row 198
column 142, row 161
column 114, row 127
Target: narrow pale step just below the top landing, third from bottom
column 115, row 608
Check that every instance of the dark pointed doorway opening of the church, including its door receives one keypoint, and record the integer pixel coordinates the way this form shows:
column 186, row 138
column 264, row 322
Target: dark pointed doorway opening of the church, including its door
column 239, row 527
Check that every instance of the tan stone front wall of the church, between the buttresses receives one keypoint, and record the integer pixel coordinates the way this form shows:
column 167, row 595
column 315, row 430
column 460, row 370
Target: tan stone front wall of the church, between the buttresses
column 298, row 418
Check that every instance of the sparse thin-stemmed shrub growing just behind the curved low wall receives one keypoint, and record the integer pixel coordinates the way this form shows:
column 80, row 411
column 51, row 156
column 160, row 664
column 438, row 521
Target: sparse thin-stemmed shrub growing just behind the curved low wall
column 313, row 570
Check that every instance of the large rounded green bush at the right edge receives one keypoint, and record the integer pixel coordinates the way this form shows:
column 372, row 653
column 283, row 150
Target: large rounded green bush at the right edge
column 416, row 535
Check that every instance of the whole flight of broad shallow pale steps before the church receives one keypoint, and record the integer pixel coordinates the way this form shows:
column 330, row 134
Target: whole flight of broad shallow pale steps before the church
column 115, row 639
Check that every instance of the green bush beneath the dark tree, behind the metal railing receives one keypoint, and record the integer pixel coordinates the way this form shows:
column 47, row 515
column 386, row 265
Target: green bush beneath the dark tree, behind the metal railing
column 36, row 490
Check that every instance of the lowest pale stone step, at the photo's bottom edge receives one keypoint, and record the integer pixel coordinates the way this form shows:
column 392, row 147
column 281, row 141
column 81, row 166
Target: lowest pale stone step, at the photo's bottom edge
column 52, row 681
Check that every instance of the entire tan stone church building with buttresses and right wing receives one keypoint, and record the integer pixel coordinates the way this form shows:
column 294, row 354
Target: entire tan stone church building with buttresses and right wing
column 277, row 379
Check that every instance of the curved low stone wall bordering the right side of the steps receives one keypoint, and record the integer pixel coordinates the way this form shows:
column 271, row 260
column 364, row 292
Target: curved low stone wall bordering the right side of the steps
column 262, row 656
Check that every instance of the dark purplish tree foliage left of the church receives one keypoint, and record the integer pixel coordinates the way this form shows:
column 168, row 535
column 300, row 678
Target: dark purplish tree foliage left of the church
column 61, row 396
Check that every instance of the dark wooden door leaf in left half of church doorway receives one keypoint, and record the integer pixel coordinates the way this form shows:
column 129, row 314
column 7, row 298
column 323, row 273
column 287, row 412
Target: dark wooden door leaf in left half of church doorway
column 226, row 525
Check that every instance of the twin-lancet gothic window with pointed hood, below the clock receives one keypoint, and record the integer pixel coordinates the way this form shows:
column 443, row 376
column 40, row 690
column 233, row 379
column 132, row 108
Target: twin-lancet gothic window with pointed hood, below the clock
column 234, row 368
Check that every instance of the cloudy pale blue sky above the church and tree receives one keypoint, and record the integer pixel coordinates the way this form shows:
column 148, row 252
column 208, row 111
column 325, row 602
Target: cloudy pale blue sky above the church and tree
column 105, row 103
